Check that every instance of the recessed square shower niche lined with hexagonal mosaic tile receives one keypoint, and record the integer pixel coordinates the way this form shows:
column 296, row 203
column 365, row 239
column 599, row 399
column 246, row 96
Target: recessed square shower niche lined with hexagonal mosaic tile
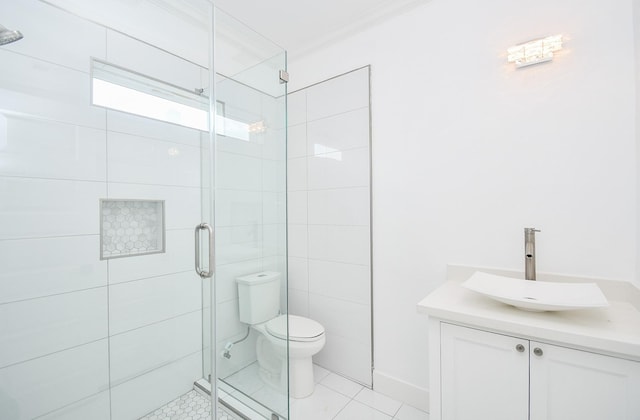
column 131, row 227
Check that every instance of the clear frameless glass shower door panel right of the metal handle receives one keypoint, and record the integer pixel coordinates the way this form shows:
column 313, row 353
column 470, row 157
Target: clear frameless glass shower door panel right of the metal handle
column 249, row 158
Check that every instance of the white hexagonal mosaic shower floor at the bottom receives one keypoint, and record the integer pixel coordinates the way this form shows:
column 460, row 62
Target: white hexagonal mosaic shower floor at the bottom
column 190, row 406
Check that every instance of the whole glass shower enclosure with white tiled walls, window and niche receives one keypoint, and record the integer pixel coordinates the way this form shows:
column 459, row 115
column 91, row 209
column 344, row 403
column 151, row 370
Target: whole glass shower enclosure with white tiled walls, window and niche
column 135, row 139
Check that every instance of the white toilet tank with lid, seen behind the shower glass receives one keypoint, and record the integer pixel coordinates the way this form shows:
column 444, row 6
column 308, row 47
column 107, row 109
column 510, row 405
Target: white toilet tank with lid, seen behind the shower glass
column 259, row 296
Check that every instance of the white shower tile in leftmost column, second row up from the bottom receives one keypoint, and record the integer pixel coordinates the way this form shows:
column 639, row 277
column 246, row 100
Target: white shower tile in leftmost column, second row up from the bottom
column 45, row 384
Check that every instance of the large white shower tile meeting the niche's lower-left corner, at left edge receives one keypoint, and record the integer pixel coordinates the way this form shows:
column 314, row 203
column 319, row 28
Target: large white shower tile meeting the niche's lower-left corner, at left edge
column 39, row 267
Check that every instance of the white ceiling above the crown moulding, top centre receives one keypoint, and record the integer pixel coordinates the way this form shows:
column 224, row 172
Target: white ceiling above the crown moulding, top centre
column 302, row 25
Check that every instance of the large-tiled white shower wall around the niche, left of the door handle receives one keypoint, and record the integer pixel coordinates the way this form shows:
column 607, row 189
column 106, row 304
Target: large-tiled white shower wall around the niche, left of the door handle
column 82, row 338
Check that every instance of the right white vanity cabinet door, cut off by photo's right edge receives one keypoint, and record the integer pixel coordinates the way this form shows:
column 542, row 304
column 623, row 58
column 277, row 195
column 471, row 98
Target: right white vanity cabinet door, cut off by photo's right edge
column 571, row 384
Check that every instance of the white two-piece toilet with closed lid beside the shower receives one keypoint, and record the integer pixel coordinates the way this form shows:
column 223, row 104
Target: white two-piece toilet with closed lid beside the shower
column 259, row 296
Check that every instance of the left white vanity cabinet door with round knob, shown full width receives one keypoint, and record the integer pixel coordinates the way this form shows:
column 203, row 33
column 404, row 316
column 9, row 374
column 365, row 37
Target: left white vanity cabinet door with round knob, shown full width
column 483, row 375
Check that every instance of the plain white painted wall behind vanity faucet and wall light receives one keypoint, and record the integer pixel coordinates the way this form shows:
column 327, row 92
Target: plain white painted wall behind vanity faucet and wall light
column 467, row 151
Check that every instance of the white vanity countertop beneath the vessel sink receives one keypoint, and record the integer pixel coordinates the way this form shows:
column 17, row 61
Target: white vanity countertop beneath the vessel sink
column 614, row 330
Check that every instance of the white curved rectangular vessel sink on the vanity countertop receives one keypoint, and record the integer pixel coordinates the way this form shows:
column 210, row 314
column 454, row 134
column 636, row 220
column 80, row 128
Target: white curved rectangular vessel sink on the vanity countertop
column 537, row 296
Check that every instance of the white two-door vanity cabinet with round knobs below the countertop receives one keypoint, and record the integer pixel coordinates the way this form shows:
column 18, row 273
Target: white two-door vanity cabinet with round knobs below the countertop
column 490, row 375
